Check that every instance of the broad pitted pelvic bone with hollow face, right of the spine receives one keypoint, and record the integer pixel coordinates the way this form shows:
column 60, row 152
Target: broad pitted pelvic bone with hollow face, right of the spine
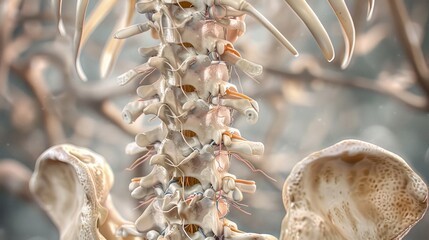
column 352, row 190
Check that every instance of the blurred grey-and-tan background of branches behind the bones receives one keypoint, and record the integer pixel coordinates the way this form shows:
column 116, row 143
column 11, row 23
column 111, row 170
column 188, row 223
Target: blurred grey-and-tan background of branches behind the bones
column 306, row 104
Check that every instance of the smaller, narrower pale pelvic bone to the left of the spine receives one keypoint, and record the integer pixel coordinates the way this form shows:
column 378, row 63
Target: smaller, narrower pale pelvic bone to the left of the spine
column 72, row 185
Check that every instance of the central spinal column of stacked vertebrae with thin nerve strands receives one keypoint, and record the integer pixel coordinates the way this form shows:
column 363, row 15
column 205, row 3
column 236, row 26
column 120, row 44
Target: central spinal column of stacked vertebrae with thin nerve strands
column 190, row 184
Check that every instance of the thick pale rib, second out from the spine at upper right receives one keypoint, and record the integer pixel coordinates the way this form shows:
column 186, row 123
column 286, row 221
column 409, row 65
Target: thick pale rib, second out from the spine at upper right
column 306, row 14
